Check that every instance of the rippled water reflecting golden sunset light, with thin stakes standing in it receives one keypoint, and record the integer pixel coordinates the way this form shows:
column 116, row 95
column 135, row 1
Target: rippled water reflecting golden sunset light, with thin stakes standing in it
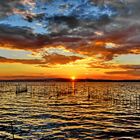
column 70, row 111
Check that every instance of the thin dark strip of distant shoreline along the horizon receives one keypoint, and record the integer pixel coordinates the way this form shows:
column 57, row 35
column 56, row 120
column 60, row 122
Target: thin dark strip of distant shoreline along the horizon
column 67, row 80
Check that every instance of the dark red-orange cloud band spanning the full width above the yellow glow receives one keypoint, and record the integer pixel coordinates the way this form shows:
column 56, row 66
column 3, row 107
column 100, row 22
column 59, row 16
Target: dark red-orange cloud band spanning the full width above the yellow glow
column 127, row 41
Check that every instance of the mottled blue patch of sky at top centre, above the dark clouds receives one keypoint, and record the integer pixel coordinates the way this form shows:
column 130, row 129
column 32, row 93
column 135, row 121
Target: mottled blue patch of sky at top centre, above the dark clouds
column 81, row 9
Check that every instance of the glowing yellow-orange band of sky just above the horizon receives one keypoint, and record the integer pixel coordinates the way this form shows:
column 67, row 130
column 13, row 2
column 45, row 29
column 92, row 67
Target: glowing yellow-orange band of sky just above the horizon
column 63, row 66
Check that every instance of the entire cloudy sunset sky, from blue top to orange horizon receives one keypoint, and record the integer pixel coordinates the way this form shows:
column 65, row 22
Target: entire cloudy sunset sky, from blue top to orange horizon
column 98, row 39
